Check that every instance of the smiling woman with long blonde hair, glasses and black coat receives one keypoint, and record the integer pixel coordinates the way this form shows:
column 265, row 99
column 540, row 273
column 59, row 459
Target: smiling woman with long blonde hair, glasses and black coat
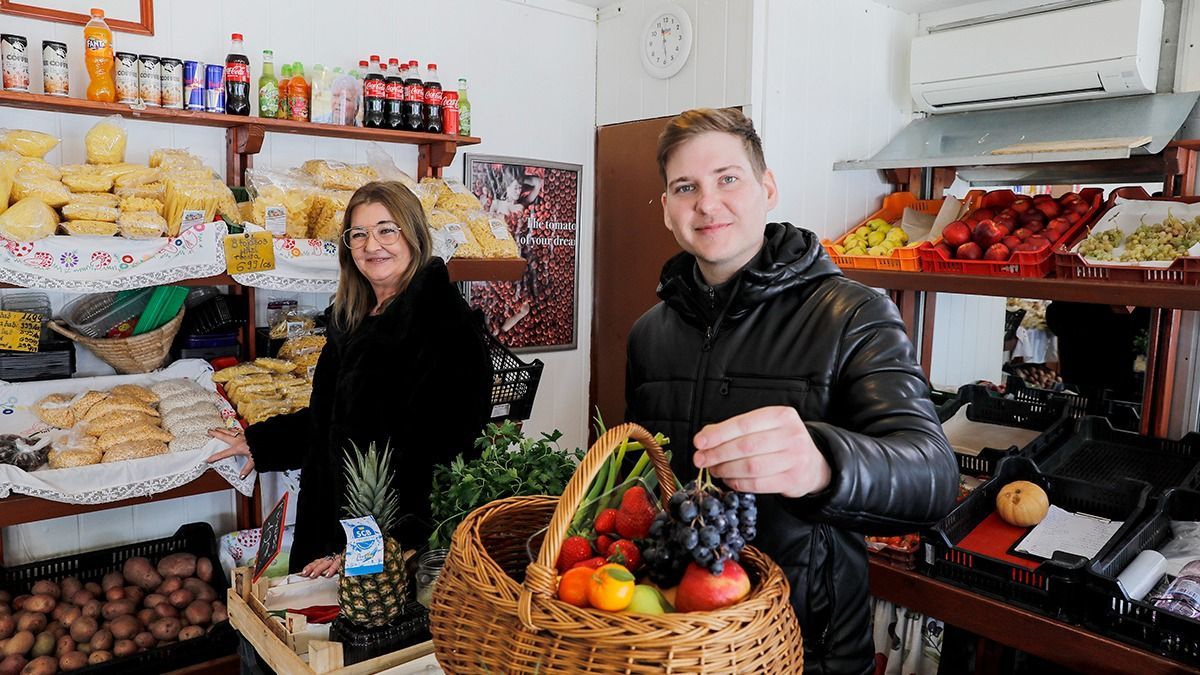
column 406, row 363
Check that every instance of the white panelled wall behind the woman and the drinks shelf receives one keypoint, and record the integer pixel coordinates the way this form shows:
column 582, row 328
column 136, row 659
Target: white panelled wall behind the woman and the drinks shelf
column 532, row 98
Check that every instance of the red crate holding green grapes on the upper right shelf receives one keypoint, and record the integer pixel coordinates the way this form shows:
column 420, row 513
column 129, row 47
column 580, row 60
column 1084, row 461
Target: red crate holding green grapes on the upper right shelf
column 1184, row 272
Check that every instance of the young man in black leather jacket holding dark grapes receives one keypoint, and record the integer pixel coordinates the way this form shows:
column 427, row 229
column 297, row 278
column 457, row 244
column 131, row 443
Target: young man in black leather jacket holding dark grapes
column 783, row 378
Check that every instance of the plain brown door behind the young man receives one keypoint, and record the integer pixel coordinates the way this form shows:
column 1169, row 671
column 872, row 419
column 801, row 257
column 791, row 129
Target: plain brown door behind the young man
column 632, row 244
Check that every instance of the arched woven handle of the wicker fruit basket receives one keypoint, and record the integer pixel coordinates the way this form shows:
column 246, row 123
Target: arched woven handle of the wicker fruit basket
column 541, row 574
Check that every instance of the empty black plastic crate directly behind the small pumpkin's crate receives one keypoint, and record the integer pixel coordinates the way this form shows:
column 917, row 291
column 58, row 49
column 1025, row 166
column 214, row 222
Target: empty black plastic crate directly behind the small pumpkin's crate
column 1100, row 455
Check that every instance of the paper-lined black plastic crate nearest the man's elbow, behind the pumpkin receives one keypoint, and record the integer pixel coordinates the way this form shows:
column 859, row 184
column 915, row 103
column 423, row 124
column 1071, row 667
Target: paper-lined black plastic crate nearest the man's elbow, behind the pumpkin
column 983, row 407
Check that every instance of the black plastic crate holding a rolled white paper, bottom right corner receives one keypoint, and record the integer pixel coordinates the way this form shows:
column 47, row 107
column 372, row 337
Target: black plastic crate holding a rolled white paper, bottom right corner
column 1113, row 614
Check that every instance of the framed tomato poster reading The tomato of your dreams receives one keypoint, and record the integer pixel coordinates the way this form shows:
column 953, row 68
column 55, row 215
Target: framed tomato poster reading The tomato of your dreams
column 541, row 204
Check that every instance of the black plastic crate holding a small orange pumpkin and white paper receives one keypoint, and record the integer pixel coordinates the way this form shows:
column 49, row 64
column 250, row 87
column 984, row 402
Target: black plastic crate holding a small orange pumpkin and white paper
column 1053, row 588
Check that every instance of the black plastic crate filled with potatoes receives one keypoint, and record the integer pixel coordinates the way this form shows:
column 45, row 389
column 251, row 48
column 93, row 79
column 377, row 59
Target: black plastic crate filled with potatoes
column 195, row 539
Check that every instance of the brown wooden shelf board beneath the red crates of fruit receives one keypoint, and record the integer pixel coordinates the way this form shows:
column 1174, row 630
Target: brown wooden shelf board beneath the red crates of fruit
column 1078, row 291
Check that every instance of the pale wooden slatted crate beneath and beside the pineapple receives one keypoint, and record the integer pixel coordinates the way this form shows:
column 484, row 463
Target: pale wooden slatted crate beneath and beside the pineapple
column 281, row 644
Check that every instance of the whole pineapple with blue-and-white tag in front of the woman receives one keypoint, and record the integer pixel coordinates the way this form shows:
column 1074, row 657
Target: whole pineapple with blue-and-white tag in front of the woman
column 374, row 600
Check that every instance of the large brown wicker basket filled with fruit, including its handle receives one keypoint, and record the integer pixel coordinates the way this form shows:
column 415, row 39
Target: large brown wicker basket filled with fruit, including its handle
column 494, row 612
